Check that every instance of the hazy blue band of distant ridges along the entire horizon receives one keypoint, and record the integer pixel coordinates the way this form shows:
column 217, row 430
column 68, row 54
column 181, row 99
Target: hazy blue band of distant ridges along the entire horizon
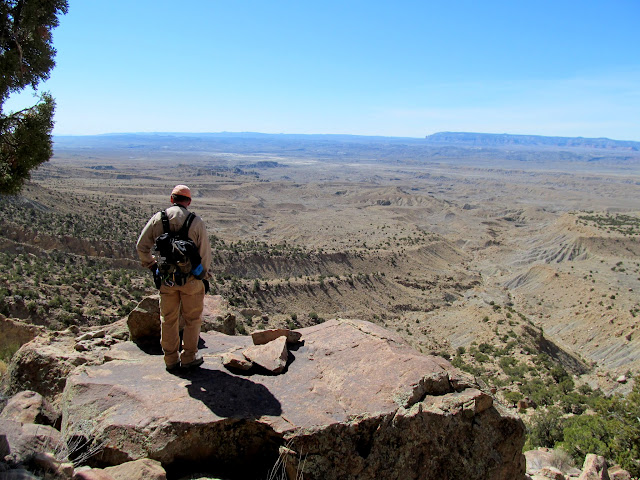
column 452, row 147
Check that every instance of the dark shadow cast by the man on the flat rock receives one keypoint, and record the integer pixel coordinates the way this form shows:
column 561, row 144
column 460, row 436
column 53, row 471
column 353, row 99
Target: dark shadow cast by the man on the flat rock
column 231, row 396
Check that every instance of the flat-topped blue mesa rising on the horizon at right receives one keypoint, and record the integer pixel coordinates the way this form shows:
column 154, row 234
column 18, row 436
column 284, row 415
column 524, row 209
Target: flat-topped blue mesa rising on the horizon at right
column 502, row 139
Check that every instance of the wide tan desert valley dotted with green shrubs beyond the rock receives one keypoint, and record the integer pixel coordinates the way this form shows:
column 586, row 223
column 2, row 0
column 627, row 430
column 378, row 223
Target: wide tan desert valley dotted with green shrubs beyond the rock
column 525, row 278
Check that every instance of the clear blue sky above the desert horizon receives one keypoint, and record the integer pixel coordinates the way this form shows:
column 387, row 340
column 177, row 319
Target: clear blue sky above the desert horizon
column 401, row 68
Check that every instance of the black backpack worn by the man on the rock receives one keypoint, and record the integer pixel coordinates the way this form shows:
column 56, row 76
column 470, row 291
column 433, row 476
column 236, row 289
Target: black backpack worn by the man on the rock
column 177, row 255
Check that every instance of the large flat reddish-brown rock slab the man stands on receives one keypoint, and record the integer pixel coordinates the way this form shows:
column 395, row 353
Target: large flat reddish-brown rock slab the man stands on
column 355, row 402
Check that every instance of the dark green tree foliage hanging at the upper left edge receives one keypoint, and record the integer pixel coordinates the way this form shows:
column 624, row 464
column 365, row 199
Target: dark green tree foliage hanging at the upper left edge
column 26, row 58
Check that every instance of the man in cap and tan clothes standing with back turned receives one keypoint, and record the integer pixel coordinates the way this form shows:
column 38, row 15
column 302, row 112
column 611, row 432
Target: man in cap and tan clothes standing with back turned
column 186, row 299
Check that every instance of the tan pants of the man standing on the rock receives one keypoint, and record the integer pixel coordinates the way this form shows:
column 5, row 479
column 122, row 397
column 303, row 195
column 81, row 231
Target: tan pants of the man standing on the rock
column 187, row 299
